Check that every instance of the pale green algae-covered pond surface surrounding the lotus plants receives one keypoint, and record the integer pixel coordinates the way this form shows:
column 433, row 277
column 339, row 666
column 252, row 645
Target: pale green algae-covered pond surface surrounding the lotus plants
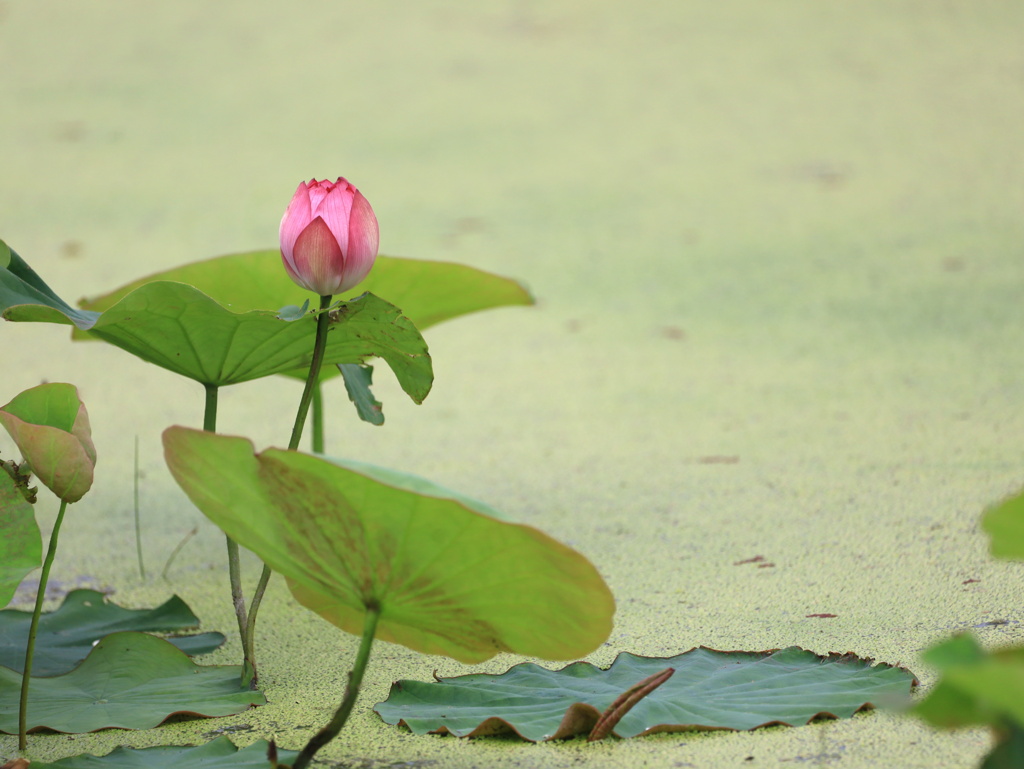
column 777, row 255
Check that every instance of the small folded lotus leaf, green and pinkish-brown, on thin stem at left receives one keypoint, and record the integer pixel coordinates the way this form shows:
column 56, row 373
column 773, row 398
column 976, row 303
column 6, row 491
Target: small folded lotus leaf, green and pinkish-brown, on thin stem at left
column 51, row 426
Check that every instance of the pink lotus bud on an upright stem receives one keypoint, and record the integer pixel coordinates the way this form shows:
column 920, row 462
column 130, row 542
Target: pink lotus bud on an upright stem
column 329, row 237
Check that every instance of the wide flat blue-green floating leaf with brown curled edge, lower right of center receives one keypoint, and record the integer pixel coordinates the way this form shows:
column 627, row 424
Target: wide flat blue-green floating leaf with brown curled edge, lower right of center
column 710, row 690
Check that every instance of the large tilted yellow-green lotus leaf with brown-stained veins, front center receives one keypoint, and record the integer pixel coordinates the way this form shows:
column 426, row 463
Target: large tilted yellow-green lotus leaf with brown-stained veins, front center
column 449, row 579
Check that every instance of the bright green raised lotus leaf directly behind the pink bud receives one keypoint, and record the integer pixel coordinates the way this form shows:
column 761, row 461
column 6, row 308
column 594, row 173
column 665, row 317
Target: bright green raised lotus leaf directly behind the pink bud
column 428, row 292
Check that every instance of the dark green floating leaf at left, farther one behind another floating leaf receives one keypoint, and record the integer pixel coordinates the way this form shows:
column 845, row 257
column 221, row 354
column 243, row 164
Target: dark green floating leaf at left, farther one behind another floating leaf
column 67, row 636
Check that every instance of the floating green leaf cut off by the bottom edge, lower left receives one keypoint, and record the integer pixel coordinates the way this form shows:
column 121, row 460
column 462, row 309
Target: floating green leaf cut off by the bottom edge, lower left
column 221, row 754
